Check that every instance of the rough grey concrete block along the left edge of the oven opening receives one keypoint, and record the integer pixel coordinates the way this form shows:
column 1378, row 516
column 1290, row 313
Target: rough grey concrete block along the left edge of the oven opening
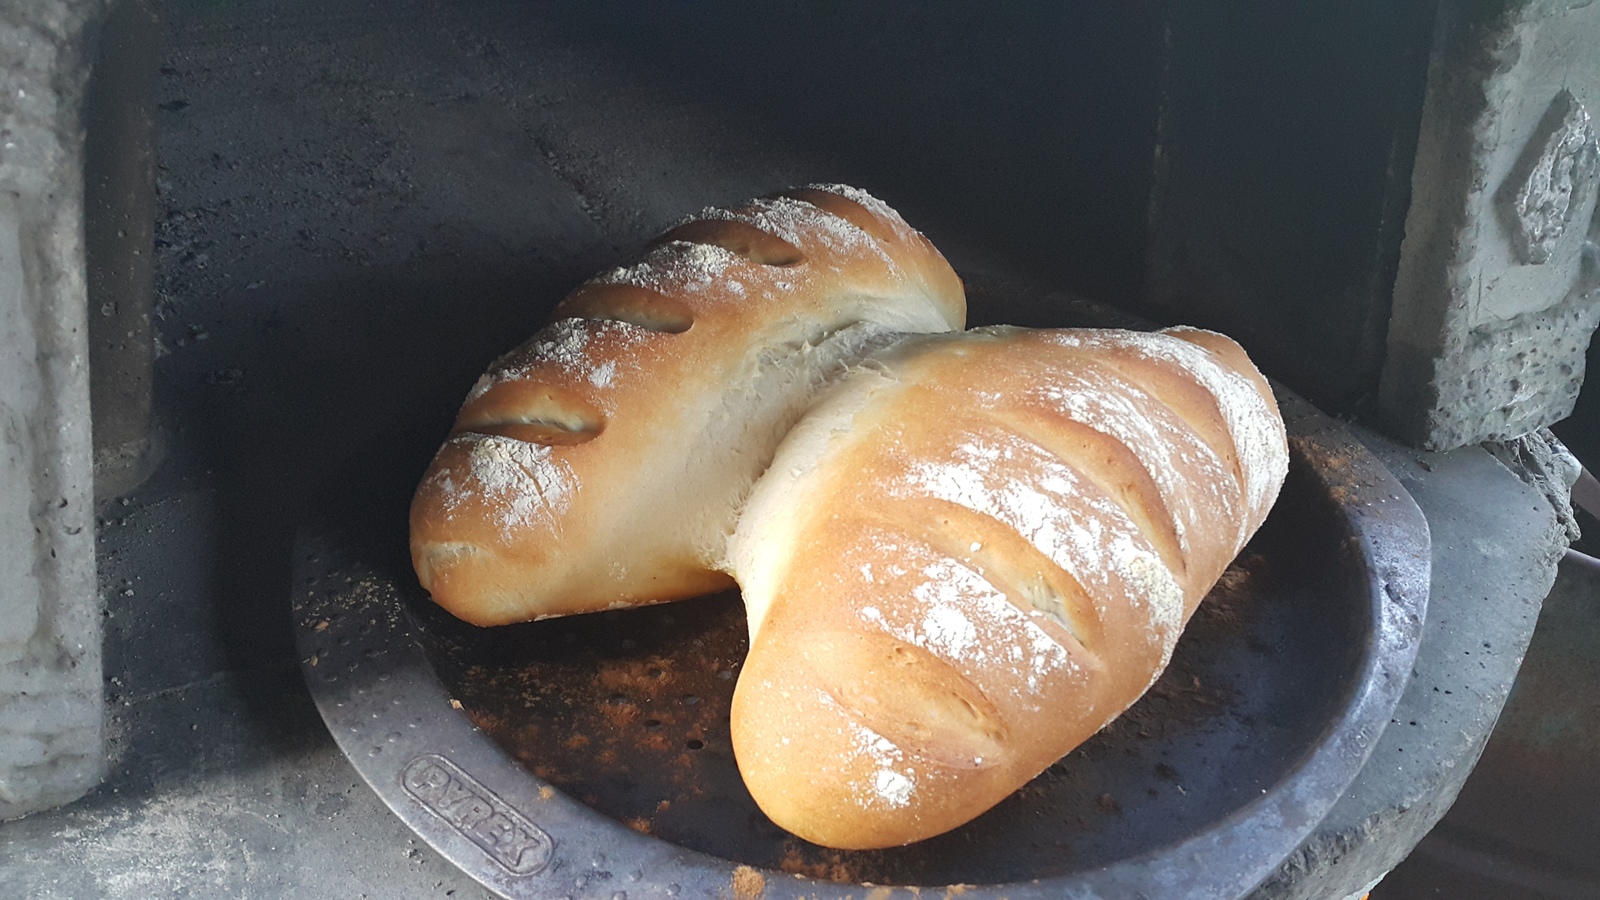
column 50, row 624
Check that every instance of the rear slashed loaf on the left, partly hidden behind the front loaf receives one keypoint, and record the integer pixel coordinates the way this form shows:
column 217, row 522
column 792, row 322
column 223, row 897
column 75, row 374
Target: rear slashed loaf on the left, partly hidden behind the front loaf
column 604, row 462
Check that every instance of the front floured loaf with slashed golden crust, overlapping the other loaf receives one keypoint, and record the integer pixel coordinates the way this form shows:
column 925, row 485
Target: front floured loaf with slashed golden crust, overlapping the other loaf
column 975, row 553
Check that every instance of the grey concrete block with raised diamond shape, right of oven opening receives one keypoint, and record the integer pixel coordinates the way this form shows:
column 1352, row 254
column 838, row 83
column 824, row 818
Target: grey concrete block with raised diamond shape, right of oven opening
column 1498, row 289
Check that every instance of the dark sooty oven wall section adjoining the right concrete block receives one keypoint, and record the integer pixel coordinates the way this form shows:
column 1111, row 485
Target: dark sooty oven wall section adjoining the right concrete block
column 1284, row 180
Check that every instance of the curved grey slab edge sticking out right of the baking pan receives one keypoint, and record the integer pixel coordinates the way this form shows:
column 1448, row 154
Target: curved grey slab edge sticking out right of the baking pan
column 1497, row 545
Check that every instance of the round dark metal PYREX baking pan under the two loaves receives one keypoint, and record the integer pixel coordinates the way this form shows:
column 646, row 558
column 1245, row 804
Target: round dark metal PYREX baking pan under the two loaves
column 590, row 757
